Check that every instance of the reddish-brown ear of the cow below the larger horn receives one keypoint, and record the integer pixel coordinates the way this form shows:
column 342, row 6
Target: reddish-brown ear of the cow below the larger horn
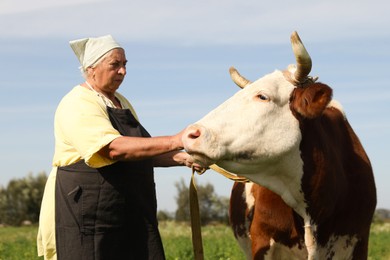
column 311, row 101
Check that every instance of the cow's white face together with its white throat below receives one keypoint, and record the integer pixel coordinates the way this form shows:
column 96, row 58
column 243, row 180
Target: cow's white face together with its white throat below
column 255, row 134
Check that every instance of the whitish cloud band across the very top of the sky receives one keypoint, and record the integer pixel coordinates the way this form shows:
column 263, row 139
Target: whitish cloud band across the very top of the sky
column 196, row 22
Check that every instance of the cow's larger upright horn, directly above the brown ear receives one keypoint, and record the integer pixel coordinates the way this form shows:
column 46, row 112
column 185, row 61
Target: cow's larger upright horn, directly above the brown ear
column 302, row 57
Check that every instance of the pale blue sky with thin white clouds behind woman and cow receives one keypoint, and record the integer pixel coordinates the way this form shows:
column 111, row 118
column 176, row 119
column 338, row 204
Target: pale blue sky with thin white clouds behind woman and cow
column 179, row 53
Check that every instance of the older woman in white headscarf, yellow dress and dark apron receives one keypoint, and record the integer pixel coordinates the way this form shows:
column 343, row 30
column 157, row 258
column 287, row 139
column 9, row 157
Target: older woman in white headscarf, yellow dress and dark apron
column 100, row 199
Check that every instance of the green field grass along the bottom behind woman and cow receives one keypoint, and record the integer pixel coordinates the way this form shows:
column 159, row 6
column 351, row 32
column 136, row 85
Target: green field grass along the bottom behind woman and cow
column 18, row 243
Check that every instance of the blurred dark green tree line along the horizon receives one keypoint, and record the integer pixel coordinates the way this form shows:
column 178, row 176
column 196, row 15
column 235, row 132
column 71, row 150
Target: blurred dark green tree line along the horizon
column 20, row 201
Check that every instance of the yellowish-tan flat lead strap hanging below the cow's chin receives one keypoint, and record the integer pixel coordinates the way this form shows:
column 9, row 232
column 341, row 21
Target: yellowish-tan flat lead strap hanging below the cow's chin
column 197, row 243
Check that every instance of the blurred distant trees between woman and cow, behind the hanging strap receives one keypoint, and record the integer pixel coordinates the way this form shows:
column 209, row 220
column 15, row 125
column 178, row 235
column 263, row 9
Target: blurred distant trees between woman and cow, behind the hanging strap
column 212, row 207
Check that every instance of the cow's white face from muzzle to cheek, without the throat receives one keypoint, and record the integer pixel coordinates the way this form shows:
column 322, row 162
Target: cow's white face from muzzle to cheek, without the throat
column 253, row 126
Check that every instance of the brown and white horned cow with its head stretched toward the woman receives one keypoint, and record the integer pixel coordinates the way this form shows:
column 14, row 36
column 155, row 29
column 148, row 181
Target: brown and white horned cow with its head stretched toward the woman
column 311, row 192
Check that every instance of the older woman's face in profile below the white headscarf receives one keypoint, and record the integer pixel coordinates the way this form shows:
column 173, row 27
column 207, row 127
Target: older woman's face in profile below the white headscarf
column 110, row 72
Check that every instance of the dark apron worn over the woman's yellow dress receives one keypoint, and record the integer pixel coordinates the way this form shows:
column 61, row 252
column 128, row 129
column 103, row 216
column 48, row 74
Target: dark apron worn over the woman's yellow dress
column 109, row 212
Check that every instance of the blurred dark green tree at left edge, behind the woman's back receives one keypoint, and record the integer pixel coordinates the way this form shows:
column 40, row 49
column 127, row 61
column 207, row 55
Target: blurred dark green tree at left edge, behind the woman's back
column 21, row 199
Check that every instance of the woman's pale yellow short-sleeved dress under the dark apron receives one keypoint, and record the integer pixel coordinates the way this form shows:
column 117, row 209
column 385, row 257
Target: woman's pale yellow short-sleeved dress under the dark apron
column 81, row 129
